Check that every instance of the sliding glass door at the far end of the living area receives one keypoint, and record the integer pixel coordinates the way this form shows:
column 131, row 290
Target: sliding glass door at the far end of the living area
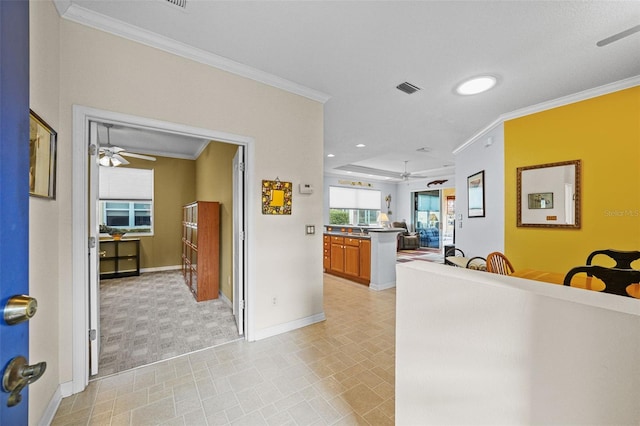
column 427, row 217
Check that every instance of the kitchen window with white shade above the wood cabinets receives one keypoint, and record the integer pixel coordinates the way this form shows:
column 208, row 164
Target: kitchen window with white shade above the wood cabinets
column 351, row 206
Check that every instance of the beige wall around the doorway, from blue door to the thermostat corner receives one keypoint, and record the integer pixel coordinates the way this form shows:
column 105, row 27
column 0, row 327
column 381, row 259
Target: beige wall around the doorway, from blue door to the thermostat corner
column 77, row 65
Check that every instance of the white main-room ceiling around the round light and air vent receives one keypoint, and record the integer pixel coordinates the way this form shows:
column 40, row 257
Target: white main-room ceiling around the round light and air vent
column 357, row 52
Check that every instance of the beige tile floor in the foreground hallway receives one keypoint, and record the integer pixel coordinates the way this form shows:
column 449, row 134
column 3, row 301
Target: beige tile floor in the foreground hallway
column 337, row 372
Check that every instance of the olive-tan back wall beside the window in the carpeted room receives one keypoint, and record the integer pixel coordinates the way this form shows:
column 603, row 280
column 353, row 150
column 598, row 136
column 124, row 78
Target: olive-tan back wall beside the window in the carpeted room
column 173, row 187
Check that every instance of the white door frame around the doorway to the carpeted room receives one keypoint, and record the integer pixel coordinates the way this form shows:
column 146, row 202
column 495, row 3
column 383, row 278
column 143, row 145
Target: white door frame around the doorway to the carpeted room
column 85, row 164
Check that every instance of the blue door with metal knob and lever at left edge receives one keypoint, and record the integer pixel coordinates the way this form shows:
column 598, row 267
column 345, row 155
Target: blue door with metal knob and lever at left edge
column 14, row 188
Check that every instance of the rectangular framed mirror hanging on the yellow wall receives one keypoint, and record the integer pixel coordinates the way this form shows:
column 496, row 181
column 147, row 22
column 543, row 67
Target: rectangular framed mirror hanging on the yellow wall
column 549, row 195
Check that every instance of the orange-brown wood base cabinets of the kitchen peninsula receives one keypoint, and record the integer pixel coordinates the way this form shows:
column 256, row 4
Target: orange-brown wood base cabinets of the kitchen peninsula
column 348, row 257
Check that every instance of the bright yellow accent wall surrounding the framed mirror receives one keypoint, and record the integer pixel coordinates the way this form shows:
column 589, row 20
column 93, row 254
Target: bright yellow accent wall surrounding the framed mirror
column 603, row 132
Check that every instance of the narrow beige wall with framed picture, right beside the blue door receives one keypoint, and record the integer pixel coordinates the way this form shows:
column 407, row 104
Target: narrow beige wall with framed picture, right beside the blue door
column 44, row 236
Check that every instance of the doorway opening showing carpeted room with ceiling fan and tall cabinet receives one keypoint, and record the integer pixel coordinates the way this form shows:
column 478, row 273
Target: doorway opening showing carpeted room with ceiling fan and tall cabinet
column 155, row 299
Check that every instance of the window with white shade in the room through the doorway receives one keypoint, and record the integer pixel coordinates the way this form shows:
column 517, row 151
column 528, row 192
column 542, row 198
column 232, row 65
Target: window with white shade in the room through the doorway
column 126, row 199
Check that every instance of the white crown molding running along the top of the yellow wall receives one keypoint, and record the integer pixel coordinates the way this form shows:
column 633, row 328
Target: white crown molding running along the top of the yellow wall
column 555, row 103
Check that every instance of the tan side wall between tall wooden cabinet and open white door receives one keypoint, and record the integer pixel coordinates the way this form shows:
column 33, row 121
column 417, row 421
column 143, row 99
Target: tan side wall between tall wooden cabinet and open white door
column 214, row 183
